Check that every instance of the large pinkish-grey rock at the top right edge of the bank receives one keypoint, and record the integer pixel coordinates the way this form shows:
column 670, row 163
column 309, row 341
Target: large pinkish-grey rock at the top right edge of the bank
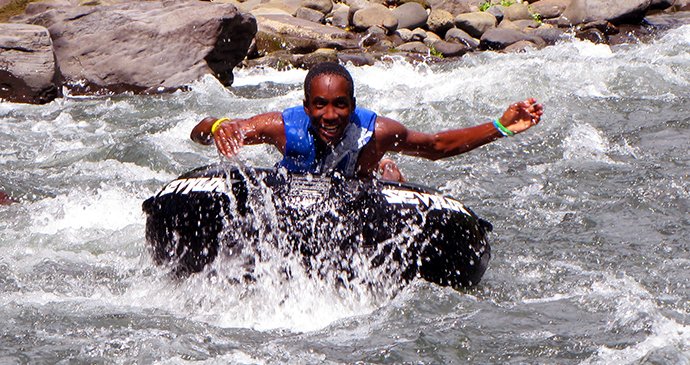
column 614, row 11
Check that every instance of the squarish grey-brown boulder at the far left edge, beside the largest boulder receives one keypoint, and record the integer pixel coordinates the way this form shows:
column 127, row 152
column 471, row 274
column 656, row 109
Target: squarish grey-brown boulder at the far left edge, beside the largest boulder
column 27, row 65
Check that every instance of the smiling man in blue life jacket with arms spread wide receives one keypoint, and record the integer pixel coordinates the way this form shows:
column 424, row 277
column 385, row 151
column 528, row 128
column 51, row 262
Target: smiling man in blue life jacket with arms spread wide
column 329, row 133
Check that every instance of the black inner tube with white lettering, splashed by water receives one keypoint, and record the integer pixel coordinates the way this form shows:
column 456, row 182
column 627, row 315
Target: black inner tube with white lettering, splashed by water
column 407, row 230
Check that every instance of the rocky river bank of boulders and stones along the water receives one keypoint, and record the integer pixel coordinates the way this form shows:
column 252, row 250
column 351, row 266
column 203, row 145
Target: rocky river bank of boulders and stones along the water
column 101, row 48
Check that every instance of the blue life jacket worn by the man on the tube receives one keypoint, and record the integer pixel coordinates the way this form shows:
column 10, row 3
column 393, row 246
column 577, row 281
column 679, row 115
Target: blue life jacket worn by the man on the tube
column 300, row 148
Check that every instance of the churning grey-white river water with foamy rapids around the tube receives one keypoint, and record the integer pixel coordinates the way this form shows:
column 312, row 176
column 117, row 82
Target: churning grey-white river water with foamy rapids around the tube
column 590, row 211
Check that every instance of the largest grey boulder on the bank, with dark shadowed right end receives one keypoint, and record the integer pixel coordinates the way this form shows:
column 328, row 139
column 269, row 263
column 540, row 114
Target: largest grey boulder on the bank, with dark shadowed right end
column 143, row 47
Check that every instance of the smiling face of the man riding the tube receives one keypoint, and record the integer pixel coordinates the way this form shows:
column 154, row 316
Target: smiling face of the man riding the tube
column 329, row 107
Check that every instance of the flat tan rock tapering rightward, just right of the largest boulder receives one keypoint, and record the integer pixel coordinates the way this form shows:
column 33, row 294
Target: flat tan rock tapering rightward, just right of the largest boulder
column 287, row 33
